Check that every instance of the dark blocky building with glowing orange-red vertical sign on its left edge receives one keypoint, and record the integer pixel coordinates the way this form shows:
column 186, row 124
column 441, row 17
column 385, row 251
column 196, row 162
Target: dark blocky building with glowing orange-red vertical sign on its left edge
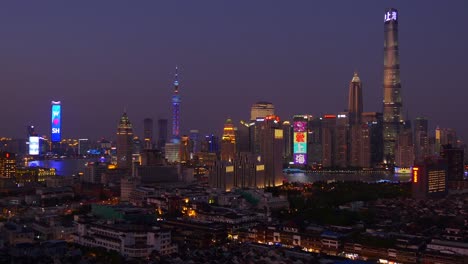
column 429, row 179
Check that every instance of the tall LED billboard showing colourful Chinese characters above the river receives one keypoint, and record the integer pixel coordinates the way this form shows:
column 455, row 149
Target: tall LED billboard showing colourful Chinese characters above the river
column 300, row 140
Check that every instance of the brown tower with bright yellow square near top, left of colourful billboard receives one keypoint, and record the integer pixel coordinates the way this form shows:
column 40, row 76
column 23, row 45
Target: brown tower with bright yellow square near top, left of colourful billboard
column 270, row 138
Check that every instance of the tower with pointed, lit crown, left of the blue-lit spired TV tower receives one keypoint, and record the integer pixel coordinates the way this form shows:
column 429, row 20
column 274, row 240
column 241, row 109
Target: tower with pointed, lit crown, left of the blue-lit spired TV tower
column 124, row 142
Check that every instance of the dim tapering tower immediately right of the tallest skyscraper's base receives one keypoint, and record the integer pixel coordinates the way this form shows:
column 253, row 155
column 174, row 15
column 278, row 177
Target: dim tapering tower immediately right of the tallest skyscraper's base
column 404, row 155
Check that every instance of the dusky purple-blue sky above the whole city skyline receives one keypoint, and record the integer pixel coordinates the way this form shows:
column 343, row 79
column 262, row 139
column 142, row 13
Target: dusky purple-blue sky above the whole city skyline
column 101, row 57
